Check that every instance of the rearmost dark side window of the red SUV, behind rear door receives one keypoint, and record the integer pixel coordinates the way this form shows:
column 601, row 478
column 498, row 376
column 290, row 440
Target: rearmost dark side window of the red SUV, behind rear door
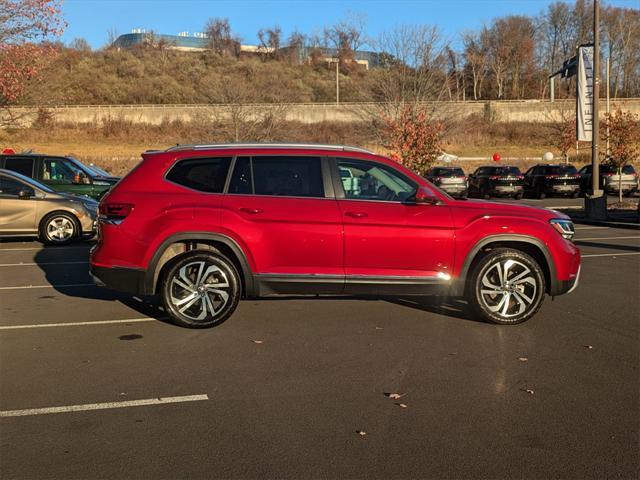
column 203, row 174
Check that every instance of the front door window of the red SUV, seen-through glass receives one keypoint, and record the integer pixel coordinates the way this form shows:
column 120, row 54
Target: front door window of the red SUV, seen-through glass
column 363, row 180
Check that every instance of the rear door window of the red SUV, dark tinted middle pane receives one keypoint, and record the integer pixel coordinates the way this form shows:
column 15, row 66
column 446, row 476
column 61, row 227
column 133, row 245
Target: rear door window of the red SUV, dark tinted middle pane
column 278, row 176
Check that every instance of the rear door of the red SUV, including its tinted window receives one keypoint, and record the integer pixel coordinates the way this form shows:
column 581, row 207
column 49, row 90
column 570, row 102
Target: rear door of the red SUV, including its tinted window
column 283, row 208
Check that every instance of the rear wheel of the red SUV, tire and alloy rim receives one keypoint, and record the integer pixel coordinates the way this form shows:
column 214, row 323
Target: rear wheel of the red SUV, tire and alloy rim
column 183, row 280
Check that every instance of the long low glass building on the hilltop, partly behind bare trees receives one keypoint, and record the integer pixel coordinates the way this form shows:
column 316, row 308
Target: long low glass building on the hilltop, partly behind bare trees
column 199, row 42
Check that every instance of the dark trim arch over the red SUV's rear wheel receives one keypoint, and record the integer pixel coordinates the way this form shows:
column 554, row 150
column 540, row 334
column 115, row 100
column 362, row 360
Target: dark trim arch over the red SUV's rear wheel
column 170, row 248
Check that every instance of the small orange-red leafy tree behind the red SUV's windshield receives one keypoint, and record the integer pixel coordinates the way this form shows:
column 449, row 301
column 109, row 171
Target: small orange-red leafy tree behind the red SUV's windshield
column 414, row 139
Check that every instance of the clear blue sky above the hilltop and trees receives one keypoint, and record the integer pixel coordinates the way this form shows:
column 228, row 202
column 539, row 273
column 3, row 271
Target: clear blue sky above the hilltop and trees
column 92, row 19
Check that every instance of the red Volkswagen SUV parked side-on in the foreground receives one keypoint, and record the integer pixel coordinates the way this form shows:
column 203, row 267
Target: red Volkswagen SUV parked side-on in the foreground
column 204, row 226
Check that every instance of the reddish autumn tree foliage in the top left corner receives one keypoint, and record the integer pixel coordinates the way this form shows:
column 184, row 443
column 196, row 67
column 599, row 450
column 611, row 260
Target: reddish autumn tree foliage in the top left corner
column 24, row 27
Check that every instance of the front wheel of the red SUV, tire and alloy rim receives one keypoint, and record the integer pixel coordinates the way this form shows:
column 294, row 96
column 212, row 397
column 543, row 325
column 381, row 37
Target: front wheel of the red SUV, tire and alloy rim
column 523, row 299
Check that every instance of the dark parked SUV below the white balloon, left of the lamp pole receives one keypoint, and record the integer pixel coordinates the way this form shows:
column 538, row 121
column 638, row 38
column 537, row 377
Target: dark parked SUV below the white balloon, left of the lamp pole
column 546, row 180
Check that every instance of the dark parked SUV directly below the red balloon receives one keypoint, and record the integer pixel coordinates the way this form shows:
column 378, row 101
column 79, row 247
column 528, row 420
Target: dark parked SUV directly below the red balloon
column 498, row 181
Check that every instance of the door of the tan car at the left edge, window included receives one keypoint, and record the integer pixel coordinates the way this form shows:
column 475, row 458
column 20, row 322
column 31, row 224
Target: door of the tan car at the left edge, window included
column 17, row 215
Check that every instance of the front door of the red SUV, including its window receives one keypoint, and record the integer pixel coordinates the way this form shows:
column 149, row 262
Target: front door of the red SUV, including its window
column 389, row 241
